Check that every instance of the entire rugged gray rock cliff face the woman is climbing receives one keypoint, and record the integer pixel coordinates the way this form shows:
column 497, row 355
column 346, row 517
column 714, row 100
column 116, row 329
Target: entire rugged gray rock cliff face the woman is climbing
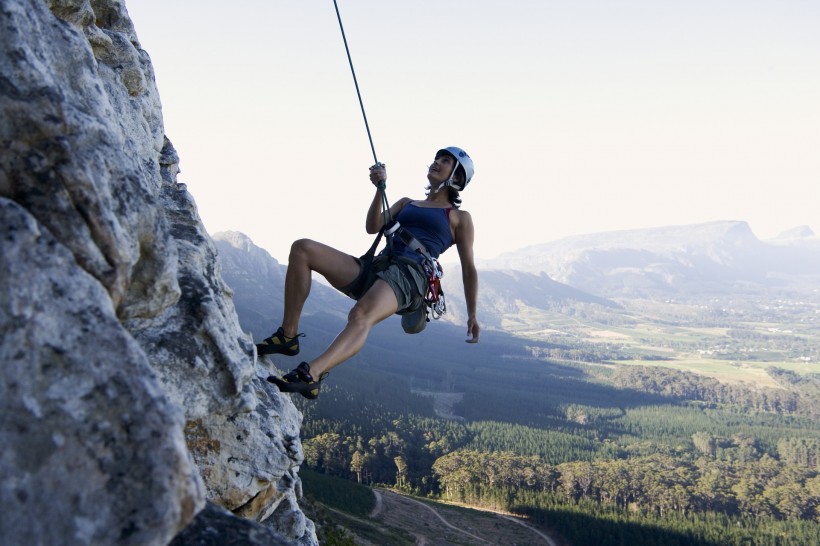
column 129, row 395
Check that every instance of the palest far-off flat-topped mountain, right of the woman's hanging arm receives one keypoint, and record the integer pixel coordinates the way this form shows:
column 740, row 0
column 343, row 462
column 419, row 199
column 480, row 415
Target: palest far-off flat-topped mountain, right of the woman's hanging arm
column 682, row 262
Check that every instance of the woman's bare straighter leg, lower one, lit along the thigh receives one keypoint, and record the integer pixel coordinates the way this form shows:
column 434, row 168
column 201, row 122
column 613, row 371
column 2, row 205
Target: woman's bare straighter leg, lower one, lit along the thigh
column 376, row 305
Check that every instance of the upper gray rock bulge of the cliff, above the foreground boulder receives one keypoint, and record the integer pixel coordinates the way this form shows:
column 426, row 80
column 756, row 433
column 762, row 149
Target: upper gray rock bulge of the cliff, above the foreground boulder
column 80, row 150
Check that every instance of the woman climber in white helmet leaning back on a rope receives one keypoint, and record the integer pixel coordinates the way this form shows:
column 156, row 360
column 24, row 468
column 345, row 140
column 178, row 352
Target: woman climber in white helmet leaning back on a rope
column 394, row 282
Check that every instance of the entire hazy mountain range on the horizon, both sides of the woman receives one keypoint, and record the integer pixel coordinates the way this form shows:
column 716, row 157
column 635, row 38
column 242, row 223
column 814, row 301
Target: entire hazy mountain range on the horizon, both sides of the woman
column 603, row 270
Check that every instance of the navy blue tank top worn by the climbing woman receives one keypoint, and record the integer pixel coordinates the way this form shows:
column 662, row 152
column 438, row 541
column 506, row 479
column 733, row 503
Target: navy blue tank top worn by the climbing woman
column 431, row 226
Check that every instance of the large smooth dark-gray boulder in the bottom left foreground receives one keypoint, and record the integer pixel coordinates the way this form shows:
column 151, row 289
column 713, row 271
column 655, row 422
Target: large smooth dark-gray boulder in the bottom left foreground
column 93, row 451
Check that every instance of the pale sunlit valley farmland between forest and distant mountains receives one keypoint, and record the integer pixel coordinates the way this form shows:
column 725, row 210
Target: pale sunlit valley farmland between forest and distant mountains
column 738, row 350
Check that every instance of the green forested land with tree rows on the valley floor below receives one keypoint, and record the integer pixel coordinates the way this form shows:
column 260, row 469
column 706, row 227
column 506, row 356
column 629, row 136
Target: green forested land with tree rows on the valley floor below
column 572, row 448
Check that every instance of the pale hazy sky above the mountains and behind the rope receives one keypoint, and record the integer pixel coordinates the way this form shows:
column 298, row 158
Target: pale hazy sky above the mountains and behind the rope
column 581, row 115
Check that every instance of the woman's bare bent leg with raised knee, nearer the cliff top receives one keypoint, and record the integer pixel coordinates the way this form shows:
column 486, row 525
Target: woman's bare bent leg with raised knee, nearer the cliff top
column 306, row 256
